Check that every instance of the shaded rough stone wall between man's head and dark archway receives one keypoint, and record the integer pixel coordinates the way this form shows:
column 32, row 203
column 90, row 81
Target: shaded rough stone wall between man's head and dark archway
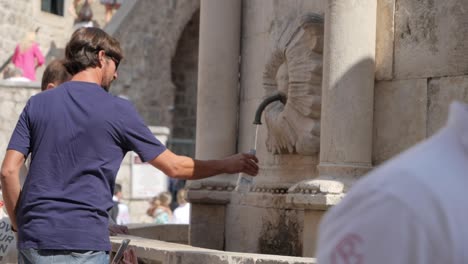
column 150, row 41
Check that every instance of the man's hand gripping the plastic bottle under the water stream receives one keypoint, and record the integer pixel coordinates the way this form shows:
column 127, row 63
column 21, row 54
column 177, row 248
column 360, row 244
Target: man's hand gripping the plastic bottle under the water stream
column 242, row 162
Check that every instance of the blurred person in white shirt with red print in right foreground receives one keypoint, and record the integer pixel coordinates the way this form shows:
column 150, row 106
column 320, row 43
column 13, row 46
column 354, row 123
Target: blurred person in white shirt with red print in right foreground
column 410, row 210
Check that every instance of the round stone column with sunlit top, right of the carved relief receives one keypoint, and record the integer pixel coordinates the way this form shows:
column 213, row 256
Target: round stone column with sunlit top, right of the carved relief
column 347, row 109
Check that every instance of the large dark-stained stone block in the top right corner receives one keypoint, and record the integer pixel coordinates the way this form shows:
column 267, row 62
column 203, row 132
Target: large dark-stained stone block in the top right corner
column 431, row 38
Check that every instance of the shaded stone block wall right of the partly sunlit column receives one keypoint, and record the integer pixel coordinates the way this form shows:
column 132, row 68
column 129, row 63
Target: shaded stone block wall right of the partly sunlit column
column 428, row 70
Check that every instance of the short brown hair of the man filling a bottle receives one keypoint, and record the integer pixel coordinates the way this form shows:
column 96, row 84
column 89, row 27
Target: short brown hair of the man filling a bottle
column 82, row 50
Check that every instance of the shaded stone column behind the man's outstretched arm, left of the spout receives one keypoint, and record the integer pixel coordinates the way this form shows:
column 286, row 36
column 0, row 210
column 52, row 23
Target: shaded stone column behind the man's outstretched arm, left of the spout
column 217, row 111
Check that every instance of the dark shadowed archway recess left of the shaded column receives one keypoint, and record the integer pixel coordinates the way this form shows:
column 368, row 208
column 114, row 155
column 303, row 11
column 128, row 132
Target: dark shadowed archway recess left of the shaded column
column 184, row 69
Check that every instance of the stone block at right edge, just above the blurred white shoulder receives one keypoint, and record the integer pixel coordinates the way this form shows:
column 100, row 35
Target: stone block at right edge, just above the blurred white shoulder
column 441, row 92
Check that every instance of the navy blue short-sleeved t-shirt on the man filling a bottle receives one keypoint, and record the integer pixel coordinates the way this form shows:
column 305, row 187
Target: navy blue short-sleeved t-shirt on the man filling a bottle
column 77, row 135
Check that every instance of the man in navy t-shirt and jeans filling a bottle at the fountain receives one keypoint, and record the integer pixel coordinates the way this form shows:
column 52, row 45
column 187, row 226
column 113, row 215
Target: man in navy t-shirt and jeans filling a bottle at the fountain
column 78, row 135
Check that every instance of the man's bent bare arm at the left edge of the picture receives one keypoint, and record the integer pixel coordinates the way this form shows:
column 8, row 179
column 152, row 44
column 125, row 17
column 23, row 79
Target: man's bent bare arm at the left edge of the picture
column 10, row 182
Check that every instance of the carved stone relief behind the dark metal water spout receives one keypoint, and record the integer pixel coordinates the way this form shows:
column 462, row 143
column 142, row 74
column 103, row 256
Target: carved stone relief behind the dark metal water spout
column 295, row 70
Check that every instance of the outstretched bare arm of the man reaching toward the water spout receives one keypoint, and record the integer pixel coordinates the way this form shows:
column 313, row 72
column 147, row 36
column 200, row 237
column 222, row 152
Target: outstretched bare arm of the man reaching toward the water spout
column 183, row 167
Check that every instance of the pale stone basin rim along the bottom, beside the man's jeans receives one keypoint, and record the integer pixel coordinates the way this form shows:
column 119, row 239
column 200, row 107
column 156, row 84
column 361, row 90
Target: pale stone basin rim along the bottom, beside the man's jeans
column 157, row 251
